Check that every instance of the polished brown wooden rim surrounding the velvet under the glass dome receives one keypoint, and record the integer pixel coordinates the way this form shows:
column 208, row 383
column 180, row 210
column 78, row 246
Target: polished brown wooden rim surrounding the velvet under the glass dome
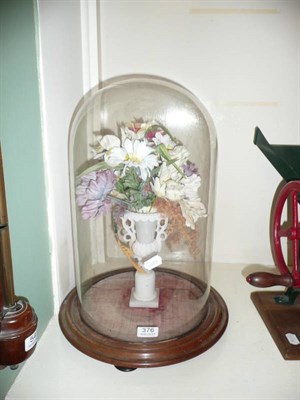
column 128, row 355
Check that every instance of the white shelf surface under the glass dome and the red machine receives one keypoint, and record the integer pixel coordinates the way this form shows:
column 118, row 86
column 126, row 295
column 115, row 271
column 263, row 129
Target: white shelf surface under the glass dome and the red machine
column 244, row 364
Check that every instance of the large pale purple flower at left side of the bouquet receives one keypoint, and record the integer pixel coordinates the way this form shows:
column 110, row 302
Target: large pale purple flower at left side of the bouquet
column 91, row 193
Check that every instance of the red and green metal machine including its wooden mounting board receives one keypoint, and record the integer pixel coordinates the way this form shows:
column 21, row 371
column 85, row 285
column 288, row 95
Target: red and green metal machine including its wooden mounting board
column 281, row 310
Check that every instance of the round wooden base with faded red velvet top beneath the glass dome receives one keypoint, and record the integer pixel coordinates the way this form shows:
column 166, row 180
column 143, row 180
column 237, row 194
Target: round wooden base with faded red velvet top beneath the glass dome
column 108, row 333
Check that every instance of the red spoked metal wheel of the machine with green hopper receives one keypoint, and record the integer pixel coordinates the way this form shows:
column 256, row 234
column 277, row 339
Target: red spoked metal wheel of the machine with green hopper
column 290, row 191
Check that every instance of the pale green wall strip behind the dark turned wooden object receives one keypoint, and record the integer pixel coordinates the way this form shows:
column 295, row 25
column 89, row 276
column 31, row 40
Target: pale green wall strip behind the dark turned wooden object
column 21, row 140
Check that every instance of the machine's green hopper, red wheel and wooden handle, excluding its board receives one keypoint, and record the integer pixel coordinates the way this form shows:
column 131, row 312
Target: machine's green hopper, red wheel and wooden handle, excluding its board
column 286, row 160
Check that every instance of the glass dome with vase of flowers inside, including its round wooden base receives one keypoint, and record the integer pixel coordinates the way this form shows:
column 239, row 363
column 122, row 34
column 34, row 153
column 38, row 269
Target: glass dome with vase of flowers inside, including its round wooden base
column 142, row 155
